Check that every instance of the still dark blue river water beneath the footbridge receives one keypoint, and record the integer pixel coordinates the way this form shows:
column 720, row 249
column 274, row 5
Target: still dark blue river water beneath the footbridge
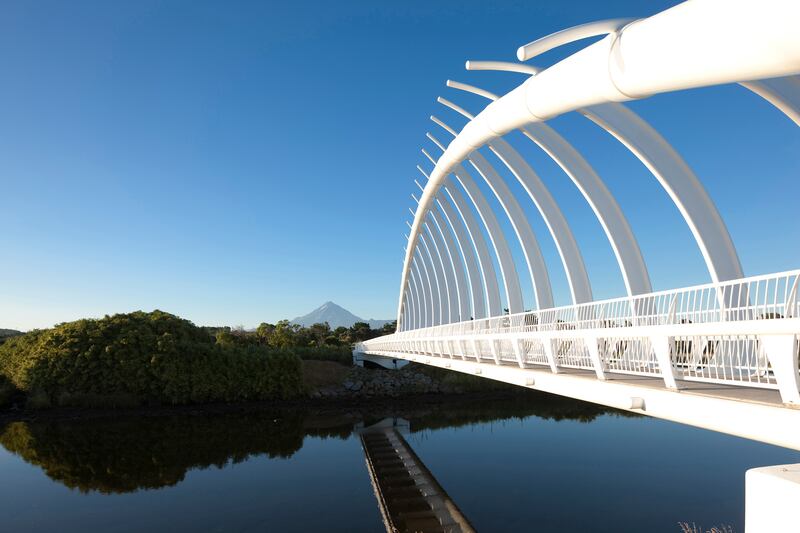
column 529, row 463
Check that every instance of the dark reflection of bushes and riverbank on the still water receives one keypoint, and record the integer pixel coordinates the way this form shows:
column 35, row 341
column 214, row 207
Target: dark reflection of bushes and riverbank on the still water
column 128, row 453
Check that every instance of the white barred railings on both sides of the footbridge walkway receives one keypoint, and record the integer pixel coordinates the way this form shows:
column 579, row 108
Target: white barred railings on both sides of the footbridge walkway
column 616, row 336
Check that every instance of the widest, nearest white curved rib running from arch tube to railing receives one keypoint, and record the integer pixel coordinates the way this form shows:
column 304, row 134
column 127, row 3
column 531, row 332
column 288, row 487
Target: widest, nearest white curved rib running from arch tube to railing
column 679, row 181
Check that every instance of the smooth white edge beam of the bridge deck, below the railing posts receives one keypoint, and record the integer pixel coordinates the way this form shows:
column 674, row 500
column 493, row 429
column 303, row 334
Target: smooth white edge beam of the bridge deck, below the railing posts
column 757, row 413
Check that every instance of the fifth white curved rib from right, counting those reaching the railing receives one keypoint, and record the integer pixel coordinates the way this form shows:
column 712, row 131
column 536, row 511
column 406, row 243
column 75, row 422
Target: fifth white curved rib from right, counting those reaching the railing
column 508, row 271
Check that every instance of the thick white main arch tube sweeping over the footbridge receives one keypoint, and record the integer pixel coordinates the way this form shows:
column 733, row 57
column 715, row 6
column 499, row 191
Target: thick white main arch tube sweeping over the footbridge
column 635, row 62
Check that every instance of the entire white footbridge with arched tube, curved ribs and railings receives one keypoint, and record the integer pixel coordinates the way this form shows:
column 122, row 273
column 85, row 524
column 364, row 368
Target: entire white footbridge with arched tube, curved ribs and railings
column 722, row 356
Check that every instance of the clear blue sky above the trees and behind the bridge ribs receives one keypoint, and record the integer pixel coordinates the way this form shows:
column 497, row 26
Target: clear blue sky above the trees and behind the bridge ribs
column 240, row 162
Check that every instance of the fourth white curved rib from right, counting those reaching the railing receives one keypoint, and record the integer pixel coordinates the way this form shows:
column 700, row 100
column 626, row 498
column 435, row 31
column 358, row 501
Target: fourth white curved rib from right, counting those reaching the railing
column 540, row 278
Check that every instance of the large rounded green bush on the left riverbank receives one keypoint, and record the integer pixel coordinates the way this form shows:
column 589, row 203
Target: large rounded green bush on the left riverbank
column 143, row 357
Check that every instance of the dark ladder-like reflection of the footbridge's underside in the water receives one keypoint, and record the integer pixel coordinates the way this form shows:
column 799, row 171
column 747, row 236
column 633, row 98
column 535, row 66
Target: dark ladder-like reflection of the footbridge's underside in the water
column 409, row 497
